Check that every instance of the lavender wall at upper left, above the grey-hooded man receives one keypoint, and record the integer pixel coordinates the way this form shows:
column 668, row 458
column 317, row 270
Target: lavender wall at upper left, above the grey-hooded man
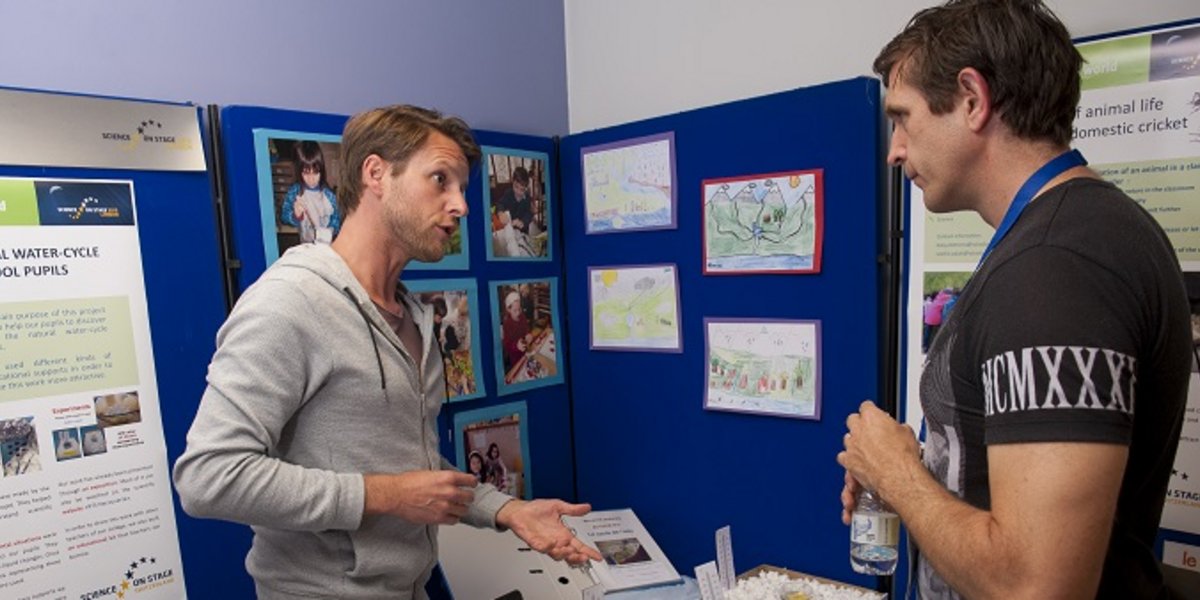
column 499, row 64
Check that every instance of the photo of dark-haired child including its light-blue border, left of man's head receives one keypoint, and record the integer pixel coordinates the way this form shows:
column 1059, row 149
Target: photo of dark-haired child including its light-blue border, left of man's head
column 298, row 177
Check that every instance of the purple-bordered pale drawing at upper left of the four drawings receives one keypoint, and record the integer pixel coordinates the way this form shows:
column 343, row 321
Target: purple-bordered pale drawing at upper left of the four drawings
column 631, row 185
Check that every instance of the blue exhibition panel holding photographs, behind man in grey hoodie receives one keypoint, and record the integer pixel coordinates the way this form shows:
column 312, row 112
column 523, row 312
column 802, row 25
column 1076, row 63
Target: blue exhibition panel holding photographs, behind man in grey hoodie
column 548, row 407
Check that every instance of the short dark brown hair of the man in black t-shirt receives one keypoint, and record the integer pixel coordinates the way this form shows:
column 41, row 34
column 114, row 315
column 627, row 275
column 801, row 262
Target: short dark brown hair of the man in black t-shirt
column 1019, row 46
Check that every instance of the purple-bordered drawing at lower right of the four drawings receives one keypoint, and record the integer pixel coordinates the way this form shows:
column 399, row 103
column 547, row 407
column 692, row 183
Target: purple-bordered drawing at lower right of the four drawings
column 764, row 367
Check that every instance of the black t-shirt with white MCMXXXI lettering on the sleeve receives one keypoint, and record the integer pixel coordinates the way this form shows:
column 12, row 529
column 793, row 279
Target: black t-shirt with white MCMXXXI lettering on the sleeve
column 1076, row 329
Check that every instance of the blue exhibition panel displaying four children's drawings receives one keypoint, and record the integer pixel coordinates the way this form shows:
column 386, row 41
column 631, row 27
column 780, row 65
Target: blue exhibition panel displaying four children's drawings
column 643, row 436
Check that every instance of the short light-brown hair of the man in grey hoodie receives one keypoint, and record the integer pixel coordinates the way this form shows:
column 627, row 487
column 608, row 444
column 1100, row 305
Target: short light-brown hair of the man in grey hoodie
column 395, row 134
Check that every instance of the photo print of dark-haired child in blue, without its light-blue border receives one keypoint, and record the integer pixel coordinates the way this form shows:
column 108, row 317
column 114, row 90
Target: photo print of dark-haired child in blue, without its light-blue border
column 304, row 182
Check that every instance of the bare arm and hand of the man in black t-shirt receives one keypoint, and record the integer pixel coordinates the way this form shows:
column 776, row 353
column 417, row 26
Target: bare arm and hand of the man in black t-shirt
column 1052, row 512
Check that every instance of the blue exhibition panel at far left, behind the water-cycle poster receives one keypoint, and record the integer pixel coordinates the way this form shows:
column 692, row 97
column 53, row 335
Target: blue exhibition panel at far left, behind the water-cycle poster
column 182, row 268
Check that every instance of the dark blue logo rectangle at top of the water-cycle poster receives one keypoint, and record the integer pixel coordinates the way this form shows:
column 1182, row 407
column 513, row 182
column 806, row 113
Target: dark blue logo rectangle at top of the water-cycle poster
column 85, row 203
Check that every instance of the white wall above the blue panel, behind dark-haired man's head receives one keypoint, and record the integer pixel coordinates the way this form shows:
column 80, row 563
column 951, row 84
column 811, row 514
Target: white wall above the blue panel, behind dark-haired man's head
column 635, row 59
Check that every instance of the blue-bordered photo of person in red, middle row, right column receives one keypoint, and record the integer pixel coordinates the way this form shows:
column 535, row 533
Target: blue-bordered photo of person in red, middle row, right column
column 526, row 334
